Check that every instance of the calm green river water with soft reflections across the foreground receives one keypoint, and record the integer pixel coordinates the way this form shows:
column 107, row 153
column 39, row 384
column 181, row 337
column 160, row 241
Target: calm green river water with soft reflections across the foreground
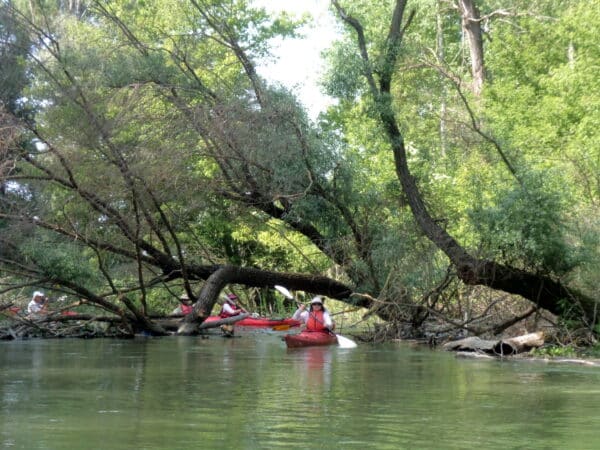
column 250, row 392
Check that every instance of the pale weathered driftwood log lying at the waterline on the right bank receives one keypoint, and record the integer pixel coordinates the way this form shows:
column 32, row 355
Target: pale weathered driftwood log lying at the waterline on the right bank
column 504, row 347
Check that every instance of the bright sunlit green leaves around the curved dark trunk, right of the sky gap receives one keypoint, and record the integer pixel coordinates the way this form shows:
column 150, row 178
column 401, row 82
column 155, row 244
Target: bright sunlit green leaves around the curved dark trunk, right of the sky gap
column 539, row 105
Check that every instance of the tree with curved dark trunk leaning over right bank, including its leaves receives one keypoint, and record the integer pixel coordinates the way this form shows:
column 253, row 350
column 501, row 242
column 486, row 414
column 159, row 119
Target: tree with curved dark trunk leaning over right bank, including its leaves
column 391, row 105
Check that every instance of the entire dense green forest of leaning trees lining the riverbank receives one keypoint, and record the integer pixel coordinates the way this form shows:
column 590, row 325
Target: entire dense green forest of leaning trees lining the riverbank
column 456, row 176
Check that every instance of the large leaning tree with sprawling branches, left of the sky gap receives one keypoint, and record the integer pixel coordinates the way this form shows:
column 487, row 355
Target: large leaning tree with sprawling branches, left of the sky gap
column 151, row 130
